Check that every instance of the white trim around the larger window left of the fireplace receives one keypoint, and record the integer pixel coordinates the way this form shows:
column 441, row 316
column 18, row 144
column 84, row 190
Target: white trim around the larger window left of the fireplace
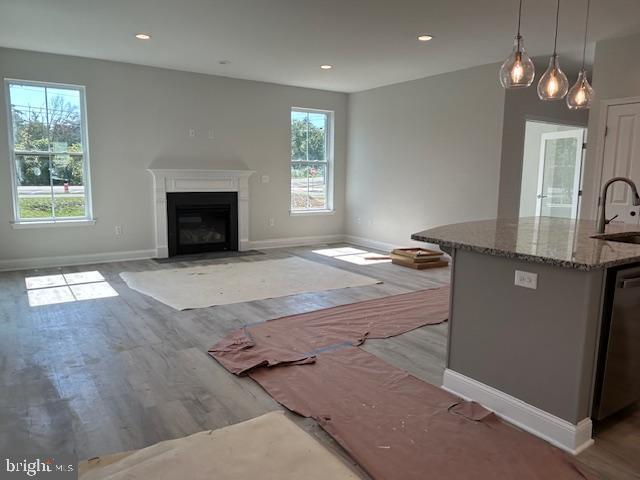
column 16, row 221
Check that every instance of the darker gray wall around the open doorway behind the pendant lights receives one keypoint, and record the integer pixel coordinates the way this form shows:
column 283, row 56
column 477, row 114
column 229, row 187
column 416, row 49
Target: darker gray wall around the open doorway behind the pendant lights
column 520, row 106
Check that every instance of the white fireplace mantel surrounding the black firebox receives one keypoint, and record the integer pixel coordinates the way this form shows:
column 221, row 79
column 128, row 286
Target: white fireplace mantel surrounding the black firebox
column 168, row 180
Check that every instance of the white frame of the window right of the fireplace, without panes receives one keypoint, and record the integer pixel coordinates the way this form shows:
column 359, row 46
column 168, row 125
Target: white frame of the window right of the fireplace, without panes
column 328, row 163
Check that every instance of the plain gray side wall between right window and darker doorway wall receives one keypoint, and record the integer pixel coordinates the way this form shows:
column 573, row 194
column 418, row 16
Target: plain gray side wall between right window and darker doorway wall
column 424, row 153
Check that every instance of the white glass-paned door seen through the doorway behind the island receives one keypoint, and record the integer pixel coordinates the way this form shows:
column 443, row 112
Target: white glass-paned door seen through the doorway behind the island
column 559, row 173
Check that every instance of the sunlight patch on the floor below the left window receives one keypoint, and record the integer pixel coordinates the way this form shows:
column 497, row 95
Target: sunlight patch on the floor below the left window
column 67, row 287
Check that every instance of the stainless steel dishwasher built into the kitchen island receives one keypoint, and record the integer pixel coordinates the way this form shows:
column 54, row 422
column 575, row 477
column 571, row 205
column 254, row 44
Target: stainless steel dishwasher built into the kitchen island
column 618, row 374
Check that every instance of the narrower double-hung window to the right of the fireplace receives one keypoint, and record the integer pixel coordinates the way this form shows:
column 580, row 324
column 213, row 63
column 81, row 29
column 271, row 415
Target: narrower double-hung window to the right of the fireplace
column 311, row 160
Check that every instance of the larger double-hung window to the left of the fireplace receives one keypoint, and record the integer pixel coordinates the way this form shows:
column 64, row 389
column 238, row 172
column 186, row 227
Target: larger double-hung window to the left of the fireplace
column 49, row 155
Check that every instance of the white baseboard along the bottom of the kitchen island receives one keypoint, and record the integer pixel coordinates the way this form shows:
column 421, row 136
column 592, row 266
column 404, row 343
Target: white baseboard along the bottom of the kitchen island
column 561, row 433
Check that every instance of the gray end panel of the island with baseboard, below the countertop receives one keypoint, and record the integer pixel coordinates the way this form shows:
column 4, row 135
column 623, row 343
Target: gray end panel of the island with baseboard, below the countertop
column 537, row 347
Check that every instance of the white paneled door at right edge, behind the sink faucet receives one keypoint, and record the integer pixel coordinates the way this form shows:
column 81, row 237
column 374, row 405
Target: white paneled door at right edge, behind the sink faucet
column 622, row 159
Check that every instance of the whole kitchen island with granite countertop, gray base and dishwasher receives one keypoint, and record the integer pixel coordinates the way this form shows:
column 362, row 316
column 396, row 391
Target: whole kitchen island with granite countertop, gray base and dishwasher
column 545, row 322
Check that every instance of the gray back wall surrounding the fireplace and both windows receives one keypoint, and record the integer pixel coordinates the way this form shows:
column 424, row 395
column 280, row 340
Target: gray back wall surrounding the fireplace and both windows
column 139, row 114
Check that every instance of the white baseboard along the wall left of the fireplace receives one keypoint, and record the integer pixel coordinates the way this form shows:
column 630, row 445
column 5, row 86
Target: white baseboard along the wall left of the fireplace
column 68, row 260
